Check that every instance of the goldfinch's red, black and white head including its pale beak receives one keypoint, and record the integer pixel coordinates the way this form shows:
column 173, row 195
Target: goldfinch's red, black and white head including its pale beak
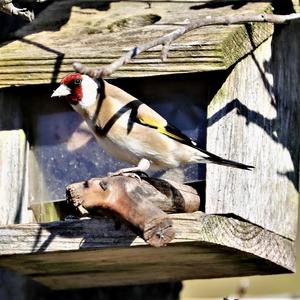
column 78, row 89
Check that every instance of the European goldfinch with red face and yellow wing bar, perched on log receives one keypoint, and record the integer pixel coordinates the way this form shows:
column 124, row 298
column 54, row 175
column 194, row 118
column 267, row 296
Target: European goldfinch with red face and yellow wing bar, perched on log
column 130, row 130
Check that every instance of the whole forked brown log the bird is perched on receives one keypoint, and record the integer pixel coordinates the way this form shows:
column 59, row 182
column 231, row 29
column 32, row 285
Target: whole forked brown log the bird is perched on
column 139, row 204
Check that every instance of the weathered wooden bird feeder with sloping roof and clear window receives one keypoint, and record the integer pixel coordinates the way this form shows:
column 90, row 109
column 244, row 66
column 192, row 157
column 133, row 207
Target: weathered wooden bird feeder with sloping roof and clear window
column 231, row 88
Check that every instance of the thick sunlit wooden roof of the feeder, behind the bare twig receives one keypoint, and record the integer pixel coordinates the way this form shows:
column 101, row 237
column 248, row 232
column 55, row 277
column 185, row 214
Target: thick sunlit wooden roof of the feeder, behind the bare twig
column 98, row 33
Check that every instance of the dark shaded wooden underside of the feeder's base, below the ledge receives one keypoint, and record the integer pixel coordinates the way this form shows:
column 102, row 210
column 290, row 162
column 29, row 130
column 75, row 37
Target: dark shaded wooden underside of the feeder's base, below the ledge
column 184, row 264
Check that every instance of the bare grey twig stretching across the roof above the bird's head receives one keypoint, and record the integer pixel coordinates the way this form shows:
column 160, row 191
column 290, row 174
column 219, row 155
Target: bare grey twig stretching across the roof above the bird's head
column 167, row 39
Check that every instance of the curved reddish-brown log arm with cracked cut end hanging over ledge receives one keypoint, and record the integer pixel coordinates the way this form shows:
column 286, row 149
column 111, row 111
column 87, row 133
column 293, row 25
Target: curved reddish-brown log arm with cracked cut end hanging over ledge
column 127, row 199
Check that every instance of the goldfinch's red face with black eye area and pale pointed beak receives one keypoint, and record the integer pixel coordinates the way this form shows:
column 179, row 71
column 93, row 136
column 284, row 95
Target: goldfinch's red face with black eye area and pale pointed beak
column 71, row 88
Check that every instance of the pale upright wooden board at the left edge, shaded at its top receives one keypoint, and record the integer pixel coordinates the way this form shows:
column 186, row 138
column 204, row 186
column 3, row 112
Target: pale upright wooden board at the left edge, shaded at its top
column 13, row 162
